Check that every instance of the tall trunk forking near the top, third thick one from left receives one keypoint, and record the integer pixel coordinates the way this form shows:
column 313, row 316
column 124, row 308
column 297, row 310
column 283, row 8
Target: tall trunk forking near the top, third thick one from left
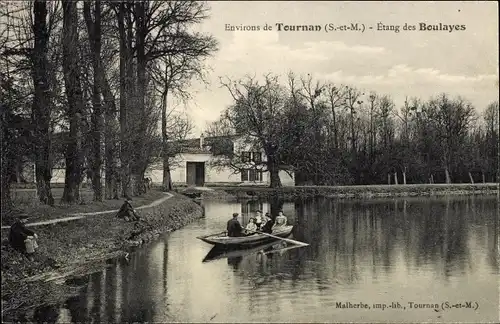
column 94, row 32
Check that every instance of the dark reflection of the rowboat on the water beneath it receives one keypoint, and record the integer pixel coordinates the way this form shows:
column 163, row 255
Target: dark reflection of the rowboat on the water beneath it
column 235, row 255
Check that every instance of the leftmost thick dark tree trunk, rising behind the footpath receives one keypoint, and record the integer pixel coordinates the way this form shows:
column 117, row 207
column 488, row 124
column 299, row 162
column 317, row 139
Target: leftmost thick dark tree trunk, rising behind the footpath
column 41, row 104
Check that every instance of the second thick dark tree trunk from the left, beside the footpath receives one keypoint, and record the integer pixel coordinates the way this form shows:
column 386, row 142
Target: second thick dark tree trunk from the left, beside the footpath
column 74, row 94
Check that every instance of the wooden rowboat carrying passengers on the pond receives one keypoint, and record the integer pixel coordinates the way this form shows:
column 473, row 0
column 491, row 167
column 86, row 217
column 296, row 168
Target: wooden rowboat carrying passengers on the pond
column 221, row 239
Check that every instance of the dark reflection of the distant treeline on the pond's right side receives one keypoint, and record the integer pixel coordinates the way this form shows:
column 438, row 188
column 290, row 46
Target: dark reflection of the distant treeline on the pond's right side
column 437, row 234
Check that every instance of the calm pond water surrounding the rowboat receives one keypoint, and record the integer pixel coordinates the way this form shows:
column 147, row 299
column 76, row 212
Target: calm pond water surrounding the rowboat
column 385, row 254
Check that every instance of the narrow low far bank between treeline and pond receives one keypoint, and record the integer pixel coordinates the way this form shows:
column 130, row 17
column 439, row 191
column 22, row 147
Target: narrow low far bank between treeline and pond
column 368, row 191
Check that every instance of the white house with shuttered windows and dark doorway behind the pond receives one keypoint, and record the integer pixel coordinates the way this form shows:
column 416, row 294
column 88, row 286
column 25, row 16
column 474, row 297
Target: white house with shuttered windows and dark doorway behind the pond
column 197, row 162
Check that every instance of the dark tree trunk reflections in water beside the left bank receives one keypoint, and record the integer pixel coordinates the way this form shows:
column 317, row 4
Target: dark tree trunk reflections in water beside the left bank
column 115, row 294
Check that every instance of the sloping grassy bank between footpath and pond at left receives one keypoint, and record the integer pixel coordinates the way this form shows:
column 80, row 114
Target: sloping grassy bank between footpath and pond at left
column 76, row 247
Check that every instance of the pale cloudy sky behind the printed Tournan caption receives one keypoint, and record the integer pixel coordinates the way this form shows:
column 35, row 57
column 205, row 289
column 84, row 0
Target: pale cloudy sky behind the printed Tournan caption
column 408, row 63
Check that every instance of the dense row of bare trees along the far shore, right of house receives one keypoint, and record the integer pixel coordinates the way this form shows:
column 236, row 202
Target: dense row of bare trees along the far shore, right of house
column 336, row 134
